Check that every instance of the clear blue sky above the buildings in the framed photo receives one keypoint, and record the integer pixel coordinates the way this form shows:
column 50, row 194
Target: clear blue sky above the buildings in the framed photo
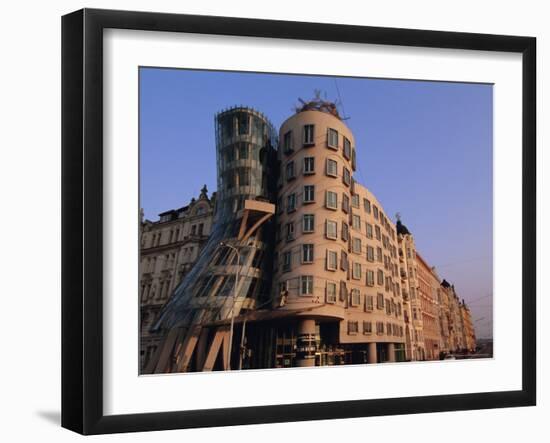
column 423, row 148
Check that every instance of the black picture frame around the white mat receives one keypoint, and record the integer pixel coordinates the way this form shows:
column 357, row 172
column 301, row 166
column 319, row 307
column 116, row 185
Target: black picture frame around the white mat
column 82, row 218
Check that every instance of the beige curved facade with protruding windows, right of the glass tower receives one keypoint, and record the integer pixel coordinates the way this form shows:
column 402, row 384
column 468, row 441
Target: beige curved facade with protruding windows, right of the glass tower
column 366, row 266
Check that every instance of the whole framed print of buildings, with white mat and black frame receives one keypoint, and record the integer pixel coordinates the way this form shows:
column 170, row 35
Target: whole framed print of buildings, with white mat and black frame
column 269, row 221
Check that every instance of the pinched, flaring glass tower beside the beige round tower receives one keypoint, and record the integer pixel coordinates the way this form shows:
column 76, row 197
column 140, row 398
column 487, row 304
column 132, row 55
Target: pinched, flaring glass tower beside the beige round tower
column 246, row 168
